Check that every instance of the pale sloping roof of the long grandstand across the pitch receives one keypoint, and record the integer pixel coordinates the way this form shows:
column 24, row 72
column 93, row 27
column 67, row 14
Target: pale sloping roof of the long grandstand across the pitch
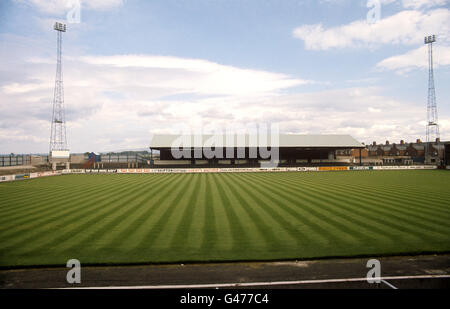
column 245, row 140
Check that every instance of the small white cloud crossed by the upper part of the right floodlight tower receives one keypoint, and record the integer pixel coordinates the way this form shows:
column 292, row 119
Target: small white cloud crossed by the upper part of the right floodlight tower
column 416, row 59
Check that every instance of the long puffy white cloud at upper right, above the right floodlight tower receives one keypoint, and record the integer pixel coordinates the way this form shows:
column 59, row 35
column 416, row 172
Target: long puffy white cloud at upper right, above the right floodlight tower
column 406, row 27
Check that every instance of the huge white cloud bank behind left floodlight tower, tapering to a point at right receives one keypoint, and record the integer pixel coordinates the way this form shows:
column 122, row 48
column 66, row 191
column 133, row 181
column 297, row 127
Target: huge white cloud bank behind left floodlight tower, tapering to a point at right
column 113, row 98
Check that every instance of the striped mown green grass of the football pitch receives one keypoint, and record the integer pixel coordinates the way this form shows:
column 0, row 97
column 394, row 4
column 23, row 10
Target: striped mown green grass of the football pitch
column 103, row 219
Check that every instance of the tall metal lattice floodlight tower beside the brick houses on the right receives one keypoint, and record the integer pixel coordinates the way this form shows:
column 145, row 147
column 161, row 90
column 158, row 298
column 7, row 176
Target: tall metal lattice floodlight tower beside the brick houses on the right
column 432, row 117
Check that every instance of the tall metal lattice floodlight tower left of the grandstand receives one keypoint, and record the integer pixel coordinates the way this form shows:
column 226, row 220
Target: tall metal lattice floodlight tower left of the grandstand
column 58, row 140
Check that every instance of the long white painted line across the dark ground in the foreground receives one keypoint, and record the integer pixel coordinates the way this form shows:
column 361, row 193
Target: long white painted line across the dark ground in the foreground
column 271, row 283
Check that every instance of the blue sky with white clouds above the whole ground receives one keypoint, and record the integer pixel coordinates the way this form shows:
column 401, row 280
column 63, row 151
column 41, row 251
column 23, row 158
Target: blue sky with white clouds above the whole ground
column 134, row 68
